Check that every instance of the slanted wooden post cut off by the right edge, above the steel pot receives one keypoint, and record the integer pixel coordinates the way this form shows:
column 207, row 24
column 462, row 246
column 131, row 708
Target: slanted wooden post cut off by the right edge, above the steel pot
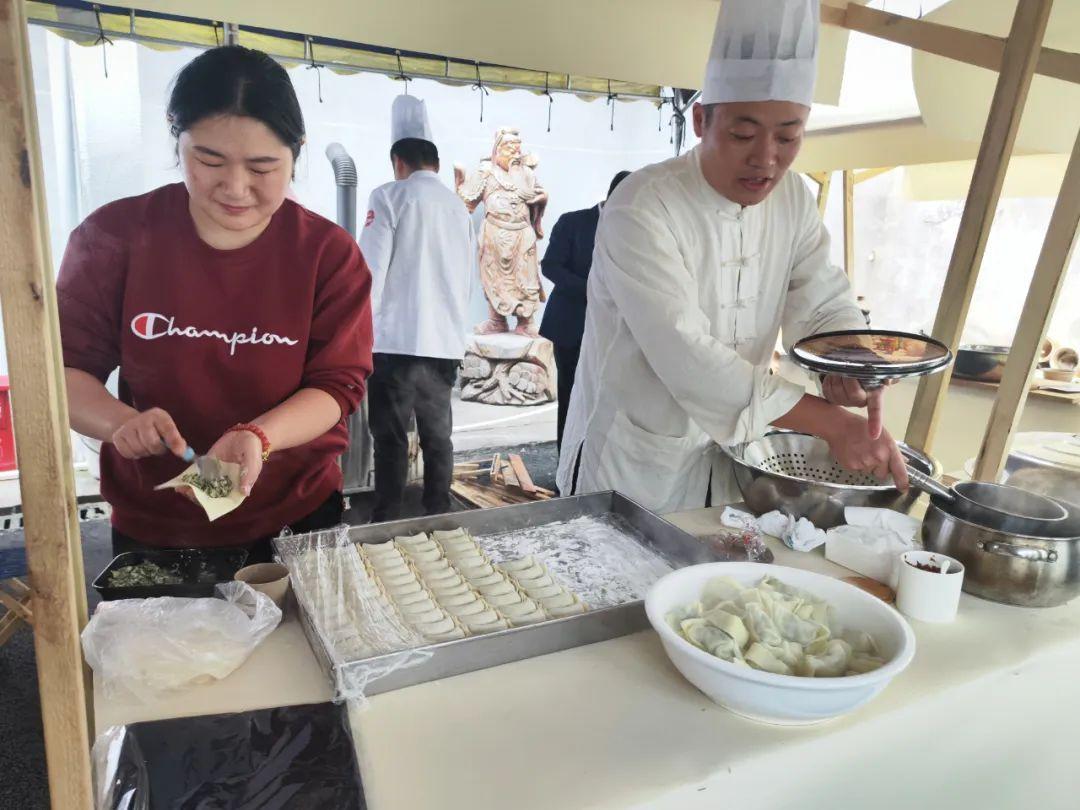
column 1038, row 309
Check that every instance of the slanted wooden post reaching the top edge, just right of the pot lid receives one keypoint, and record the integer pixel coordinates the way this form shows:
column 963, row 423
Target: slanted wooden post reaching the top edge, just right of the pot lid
column 1022, row 51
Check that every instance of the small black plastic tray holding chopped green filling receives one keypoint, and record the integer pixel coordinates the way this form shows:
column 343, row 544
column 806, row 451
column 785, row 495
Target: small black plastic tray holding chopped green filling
column 217, row 565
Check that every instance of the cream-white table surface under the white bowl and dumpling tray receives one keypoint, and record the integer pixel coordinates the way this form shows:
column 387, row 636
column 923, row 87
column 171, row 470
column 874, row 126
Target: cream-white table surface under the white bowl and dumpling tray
column 985, row 717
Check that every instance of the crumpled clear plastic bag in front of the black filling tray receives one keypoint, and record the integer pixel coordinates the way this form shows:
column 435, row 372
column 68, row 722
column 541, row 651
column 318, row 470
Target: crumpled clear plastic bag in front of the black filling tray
column 148, row 647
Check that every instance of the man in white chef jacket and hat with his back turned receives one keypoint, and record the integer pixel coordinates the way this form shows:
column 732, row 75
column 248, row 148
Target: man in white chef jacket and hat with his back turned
column 420, row 245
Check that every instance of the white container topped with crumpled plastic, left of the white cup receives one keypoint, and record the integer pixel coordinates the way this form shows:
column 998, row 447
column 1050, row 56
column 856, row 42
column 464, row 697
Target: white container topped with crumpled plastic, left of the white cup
column 872, row 543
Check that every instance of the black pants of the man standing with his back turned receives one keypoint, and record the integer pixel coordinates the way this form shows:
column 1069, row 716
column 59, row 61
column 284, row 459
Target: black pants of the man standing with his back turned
column 401, row 387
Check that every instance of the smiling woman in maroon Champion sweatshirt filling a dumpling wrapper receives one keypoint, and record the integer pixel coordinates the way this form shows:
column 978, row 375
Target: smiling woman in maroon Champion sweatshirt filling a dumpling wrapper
column 240, row 322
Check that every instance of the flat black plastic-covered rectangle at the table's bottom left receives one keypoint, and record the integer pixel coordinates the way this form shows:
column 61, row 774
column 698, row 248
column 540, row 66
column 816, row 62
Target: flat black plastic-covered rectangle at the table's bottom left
column 288, row 759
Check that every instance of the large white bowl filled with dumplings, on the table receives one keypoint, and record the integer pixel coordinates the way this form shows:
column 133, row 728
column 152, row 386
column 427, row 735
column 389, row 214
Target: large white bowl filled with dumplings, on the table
column 778, row 645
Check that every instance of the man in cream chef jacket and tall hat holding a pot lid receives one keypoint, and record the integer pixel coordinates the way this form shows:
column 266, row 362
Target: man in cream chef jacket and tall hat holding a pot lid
column 700, row 262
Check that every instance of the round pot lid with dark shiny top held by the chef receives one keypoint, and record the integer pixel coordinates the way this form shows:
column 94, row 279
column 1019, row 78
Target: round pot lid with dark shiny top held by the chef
column 872, row 356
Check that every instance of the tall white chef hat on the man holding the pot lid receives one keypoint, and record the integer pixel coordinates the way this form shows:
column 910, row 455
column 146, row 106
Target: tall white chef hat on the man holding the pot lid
column 764, row 50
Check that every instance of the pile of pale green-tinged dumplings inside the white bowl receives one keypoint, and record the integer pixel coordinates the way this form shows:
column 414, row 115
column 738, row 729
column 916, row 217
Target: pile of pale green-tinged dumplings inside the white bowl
column 775, row 628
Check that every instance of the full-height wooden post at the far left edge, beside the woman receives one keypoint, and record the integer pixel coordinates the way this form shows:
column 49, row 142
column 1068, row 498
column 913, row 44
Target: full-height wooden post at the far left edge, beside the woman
column 39, row 406
